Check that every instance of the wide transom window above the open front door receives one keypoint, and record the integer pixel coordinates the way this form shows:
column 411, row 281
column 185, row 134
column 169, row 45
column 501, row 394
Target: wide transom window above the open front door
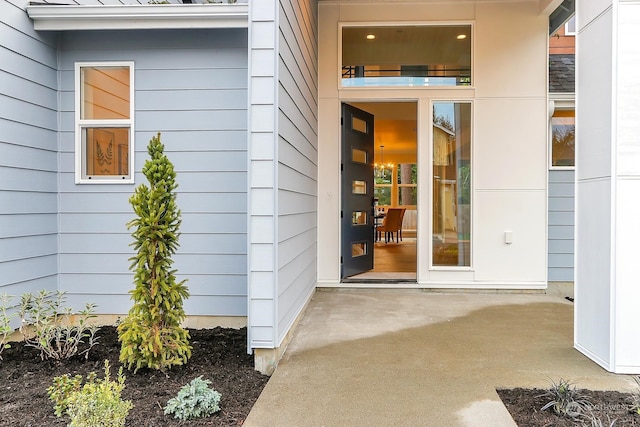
column 428, row 55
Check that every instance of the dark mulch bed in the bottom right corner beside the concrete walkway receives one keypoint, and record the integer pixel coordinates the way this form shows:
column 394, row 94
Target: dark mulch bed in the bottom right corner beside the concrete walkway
column 606, row 406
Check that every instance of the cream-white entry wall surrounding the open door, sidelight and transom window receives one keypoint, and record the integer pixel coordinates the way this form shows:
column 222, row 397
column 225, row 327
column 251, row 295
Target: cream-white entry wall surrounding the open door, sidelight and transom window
column 509, row 139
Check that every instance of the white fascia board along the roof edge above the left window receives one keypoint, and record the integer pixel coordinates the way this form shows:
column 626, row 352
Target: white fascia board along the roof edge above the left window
column 124, row 17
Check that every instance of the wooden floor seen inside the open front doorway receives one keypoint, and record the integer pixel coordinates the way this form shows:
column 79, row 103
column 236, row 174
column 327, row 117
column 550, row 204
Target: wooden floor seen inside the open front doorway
column 392, row 261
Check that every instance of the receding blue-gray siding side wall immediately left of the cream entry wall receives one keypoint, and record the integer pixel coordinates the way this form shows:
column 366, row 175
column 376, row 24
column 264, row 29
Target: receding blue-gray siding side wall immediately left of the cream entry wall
column 297, row 158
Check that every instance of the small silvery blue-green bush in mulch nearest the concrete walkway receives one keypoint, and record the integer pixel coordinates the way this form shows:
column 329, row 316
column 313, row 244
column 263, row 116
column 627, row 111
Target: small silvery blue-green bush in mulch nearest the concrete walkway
column 194, row 400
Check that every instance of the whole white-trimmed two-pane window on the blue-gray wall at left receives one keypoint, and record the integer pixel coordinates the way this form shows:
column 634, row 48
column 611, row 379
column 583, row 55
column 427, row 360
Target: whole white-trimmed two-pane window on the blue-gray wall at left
column 104, row 122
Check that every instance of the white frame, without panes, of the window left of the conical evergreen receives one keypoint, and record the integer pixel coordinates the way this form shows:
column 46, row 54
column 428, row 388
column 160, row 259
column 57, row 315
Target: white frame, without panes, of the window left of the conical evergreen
column 80, row 169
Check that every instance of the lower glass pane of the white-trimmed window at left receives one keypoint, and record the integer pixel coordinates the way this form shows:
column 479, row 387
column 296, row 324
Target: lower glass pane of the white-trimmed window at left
column 106, row 151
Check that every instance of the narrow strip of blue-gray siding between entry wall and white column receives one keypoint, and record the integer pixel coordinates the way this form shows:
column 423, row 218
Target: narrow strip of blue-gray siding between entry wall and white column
column 561, row 225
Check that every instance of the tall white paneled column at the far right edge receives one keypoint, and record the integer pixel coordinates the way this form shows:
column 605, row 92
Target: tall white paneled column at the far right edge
column 608, row 184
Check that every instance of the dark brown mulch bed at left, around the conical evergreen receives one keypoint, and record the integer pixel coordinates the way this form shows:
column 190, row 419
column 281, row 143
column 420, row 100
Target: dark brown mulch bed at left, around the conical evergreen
column 218, row 355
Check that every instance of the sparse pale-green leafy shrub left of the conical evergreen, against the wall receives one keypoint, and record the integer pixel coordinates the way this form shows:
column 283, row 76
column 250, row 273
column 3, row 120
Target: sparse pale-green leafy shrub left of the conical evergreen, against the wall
column 54, row 329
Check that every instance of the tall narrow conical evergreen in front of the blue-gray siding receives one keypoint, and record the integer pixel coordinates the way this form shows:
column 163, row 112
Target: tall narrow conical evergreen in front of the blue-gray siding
column 151, row 335
